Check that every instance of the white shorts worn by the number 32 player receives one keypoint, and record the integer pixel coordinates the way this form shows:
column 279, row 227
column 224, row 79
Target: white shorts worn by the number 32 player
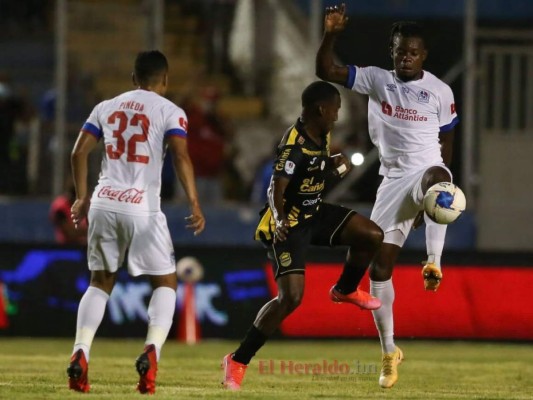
column 144, row 239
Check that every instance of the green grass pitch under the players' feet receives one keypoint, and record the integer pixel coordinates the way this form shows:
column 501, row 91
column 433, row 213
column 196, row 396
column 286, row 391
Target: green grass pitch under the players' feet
column 35, row 369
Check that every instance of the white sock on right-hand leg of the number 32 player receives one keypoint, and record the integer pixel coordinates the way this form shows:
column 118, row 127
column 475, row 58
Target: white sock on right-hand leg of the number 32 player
column 160, row 313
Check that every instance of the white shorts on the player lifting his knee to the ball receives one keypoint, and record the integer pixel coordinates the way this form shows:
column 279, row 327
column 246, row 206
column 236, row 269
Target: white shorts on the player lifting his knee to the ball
column 398, row 201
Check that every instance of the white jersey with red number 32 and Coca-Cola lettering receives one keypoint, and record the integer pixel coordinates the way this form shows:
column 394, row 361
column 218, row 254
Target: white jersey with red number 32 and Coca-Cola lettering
column 133, row 126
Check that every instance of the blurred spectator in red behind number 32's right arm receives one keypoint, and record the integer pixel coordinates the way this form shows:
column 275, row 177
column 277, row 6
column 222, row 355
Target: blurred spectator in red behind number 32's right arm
column 211, row 149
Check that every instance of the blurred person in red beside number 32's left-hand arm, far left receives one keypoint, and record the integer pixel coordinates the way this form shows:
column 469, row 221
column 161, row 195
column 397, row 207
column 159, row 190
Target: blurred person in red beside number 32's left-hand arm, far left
column 59, row 214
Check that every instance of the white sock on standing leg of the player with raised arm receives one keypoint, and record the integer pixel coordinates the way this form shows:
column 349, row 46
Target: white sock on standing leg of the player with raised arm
column 383, row 316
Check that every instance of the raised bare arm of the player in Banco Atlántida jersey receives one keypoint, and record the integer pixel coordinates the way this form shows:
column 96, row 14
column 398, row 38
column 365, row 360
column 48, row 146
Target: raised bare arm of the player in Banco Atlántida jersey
column 325, row 68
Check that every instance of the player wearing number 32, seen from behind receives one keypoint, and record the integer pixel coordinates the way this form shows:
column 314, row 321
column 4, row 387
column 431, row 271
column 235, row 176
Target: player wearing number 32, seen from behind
column 125, row 214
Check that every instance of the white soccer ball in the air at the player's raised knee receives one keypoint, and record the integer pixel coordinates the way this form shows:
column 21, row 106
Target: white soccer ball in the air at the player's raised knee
column 444, row 202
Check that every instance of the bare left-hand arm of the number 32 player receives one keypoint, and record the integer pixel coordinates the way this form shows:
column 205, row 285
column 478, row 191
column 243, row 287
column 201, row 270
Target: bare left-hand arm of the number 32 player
column 79, row 165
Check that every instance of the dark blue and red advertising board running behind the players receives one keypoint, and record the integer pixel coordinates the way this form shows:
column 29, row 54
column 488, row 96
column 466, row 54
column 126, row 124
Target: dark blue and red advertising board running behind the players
column 42, row 285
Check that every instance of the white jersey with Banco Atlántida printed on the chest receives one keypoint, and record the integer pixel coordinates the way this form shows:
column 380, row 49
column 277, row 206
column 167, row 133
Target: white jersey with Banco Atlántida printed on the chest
column 405, row 118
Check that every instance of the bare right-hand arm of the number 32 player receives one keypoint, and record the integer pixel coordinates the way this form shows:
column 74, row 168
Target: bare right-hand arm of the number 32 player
column 185, row 172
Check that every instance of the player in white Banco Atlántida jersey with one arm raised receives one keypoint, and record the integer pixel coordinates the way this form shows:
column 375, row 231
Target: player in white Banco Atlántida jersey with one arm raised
column 411, row 118
